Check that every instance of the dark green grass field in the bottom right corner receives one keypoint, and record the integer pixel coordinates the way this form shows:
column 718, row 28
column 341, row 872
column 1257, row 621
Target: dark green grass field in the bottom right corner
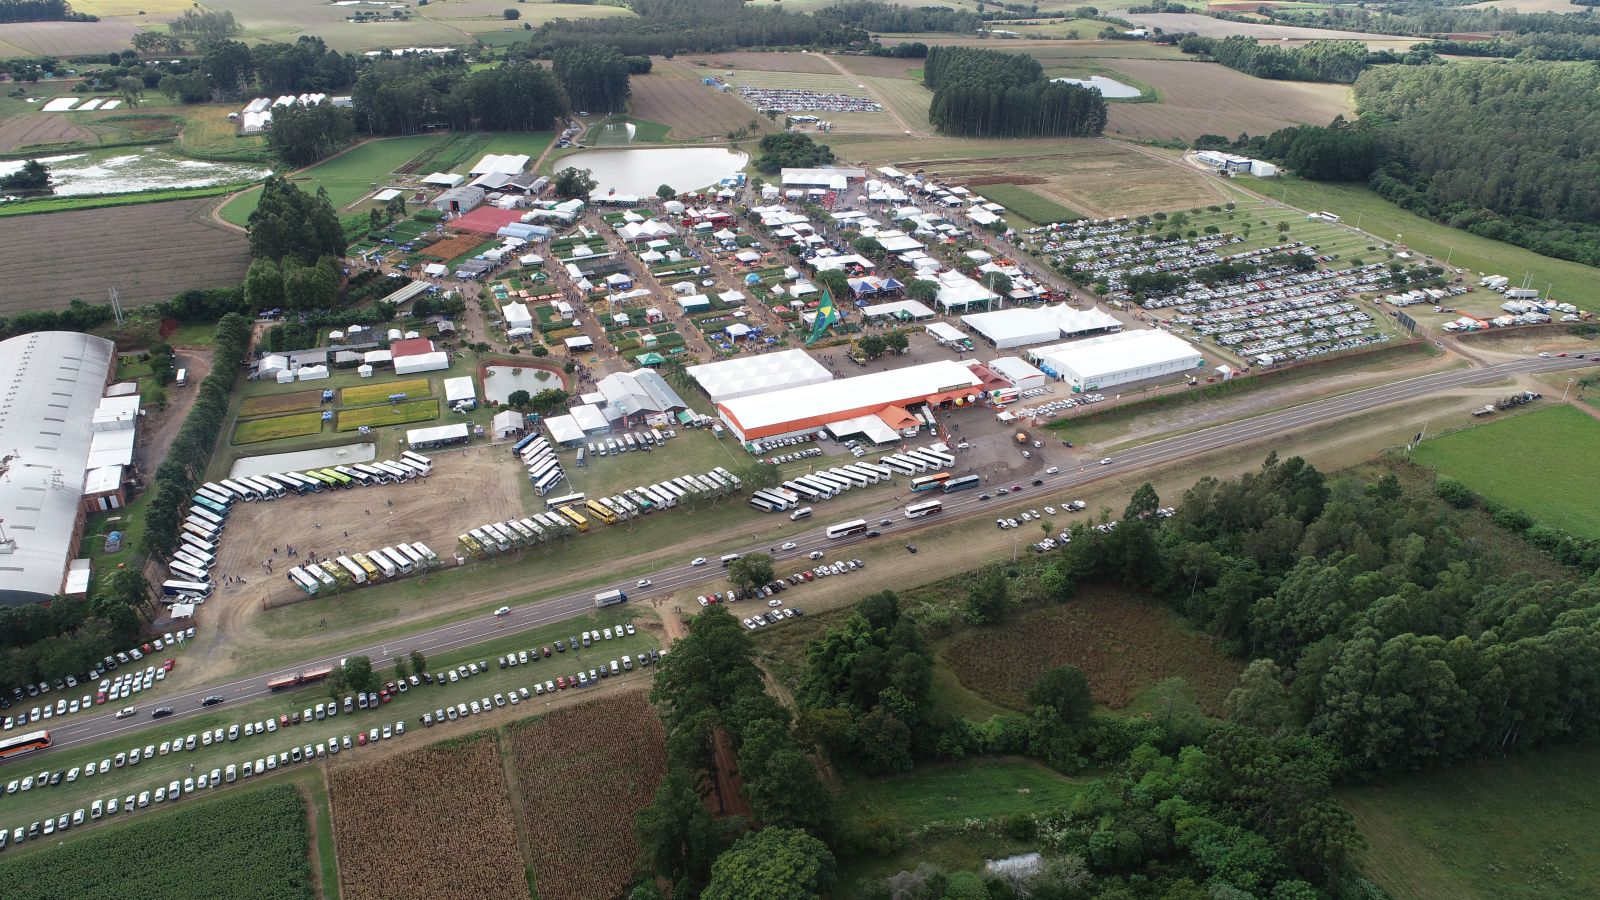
column 1511, row 829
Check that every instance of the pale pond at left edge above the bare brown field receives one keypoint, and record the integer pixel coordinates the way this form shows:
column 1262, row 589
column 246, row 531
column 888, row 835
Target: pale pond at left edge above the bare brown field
column 126, row 171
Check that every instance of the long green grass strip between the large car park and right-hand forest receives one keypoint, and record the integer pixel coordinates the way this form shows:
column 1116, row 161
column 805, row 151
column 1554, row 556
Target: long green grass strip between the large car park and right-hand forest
column 1361, row 207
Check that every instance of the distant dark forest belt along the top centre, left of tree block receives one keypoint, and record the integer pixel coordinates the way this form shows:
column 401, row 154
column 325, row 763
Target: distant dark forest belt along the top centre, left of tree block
column 666, row 28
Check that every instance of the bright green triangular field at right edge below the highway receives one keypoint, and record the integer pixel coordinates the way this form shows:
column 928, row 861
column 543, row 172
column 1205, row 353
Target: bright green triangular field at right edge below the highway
column 1538, row 462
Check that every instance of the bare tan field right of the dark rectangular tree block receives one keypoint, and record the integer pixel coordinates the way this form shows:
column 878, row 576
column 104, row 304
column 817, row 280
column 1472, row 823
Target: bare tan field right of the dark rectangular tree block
column 1204, row 98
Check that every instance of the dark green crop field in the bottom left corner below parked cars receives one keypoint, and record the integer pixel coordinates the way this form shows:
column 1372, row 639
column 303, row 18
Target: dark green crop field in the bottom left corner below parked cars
column 247, row 845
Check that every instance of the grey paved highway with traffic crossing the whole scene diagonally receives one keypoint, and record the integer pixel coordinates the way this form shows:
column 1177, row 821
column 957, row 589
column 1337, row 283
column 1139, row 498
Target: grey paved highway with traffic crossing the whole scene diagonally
column 959, row 505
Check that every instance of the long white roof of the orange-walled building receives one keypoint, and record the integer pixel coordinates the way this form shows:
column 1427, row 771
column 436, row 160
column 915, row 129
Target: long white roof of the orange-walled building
column 812, row 406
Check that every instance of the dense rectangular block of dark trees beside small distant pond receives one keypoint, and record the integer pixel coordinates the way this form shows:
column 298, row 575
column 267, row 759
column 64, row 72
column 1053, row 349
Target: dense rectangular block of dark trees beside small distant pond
column 988, row 94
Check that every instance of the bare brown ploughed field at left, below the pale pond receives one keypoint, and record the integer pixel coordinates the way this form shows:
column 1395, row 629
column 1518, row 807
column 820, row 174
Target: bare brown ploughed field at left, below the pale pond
column 148, row 252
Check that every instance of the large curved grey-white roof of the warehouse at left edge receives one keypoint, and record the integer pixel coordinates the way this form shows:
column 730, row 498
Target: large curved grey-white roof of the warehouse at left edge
column 54, row 384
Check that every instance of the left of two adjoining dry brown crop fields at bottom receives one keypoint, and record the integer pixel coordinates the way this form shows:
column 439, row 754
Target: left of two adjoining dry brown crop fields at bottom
column 398, row 842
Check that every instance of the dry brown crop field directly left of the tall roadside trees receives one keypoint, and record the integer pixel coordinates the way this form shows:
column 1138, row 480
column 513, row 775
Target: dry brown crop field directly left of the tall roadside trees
column 599, row 765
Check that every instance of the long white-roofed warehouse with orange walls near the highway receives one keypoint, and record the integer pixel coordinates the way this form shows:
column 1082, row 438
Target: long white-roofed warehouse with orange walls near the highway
column 882, row 396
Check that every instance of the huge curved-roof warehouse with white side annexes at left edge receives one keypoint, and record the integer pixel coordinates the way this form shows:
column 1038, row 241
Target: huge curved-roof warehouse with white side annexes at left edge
column 58, row 440
